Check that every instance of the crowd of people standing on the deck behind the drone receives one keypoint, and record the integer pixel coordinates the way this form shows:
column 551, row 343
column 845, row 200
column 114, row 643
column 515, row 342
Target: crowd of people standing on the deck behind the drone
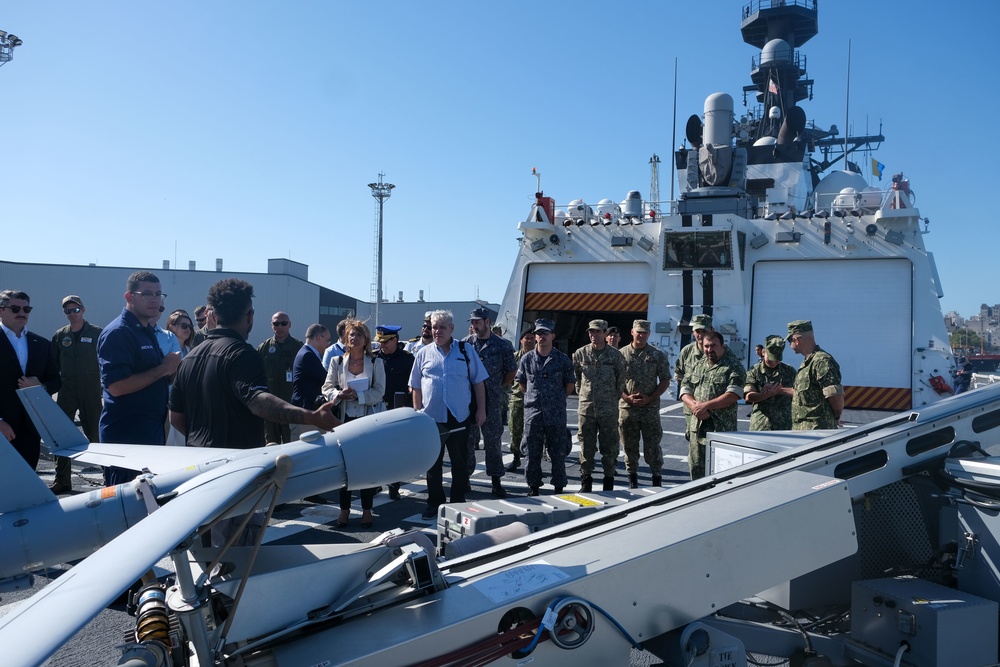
column 197, row 382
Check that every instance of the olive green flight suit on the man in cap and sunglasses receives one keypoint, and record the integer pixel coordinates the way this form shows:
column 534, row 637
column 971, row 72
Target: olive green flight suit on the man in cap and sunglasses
column 76, row 357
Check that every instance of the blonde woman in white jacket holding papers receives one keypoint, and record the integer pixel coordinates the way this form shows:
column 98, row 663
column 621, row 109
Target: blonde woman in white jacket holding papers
column 355, row 383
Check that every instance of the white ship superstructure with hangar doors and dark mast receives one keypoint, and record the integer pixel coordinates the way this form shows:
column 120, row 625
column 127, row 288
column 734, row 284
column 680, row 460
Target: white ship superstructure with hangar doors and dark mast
column 767, row 229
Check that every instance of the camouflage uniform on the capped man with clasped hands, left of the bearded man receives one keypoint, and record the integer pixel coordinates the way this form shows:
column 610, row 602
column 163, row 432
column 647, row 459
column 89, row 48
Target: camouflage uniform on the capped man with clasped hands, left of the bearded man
column 644, row 370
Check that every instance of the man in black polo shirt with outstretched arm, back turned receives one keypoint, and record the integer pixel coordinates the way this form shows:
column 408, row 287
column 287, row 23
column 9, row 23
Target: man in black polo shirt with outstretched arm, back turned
column 220, row 397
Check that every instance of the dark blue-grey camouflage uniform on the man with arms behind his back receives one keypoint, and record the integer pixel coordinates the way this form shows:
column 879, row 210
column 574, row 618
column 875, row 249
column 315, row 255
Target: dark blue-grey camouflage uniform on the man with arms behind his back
column 545, row 380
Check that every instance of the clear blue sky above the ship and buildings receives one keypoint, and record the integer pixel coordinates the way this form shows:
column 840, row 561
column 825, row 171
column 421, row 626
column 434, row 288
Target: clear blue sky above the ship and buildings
column 134, row 132
